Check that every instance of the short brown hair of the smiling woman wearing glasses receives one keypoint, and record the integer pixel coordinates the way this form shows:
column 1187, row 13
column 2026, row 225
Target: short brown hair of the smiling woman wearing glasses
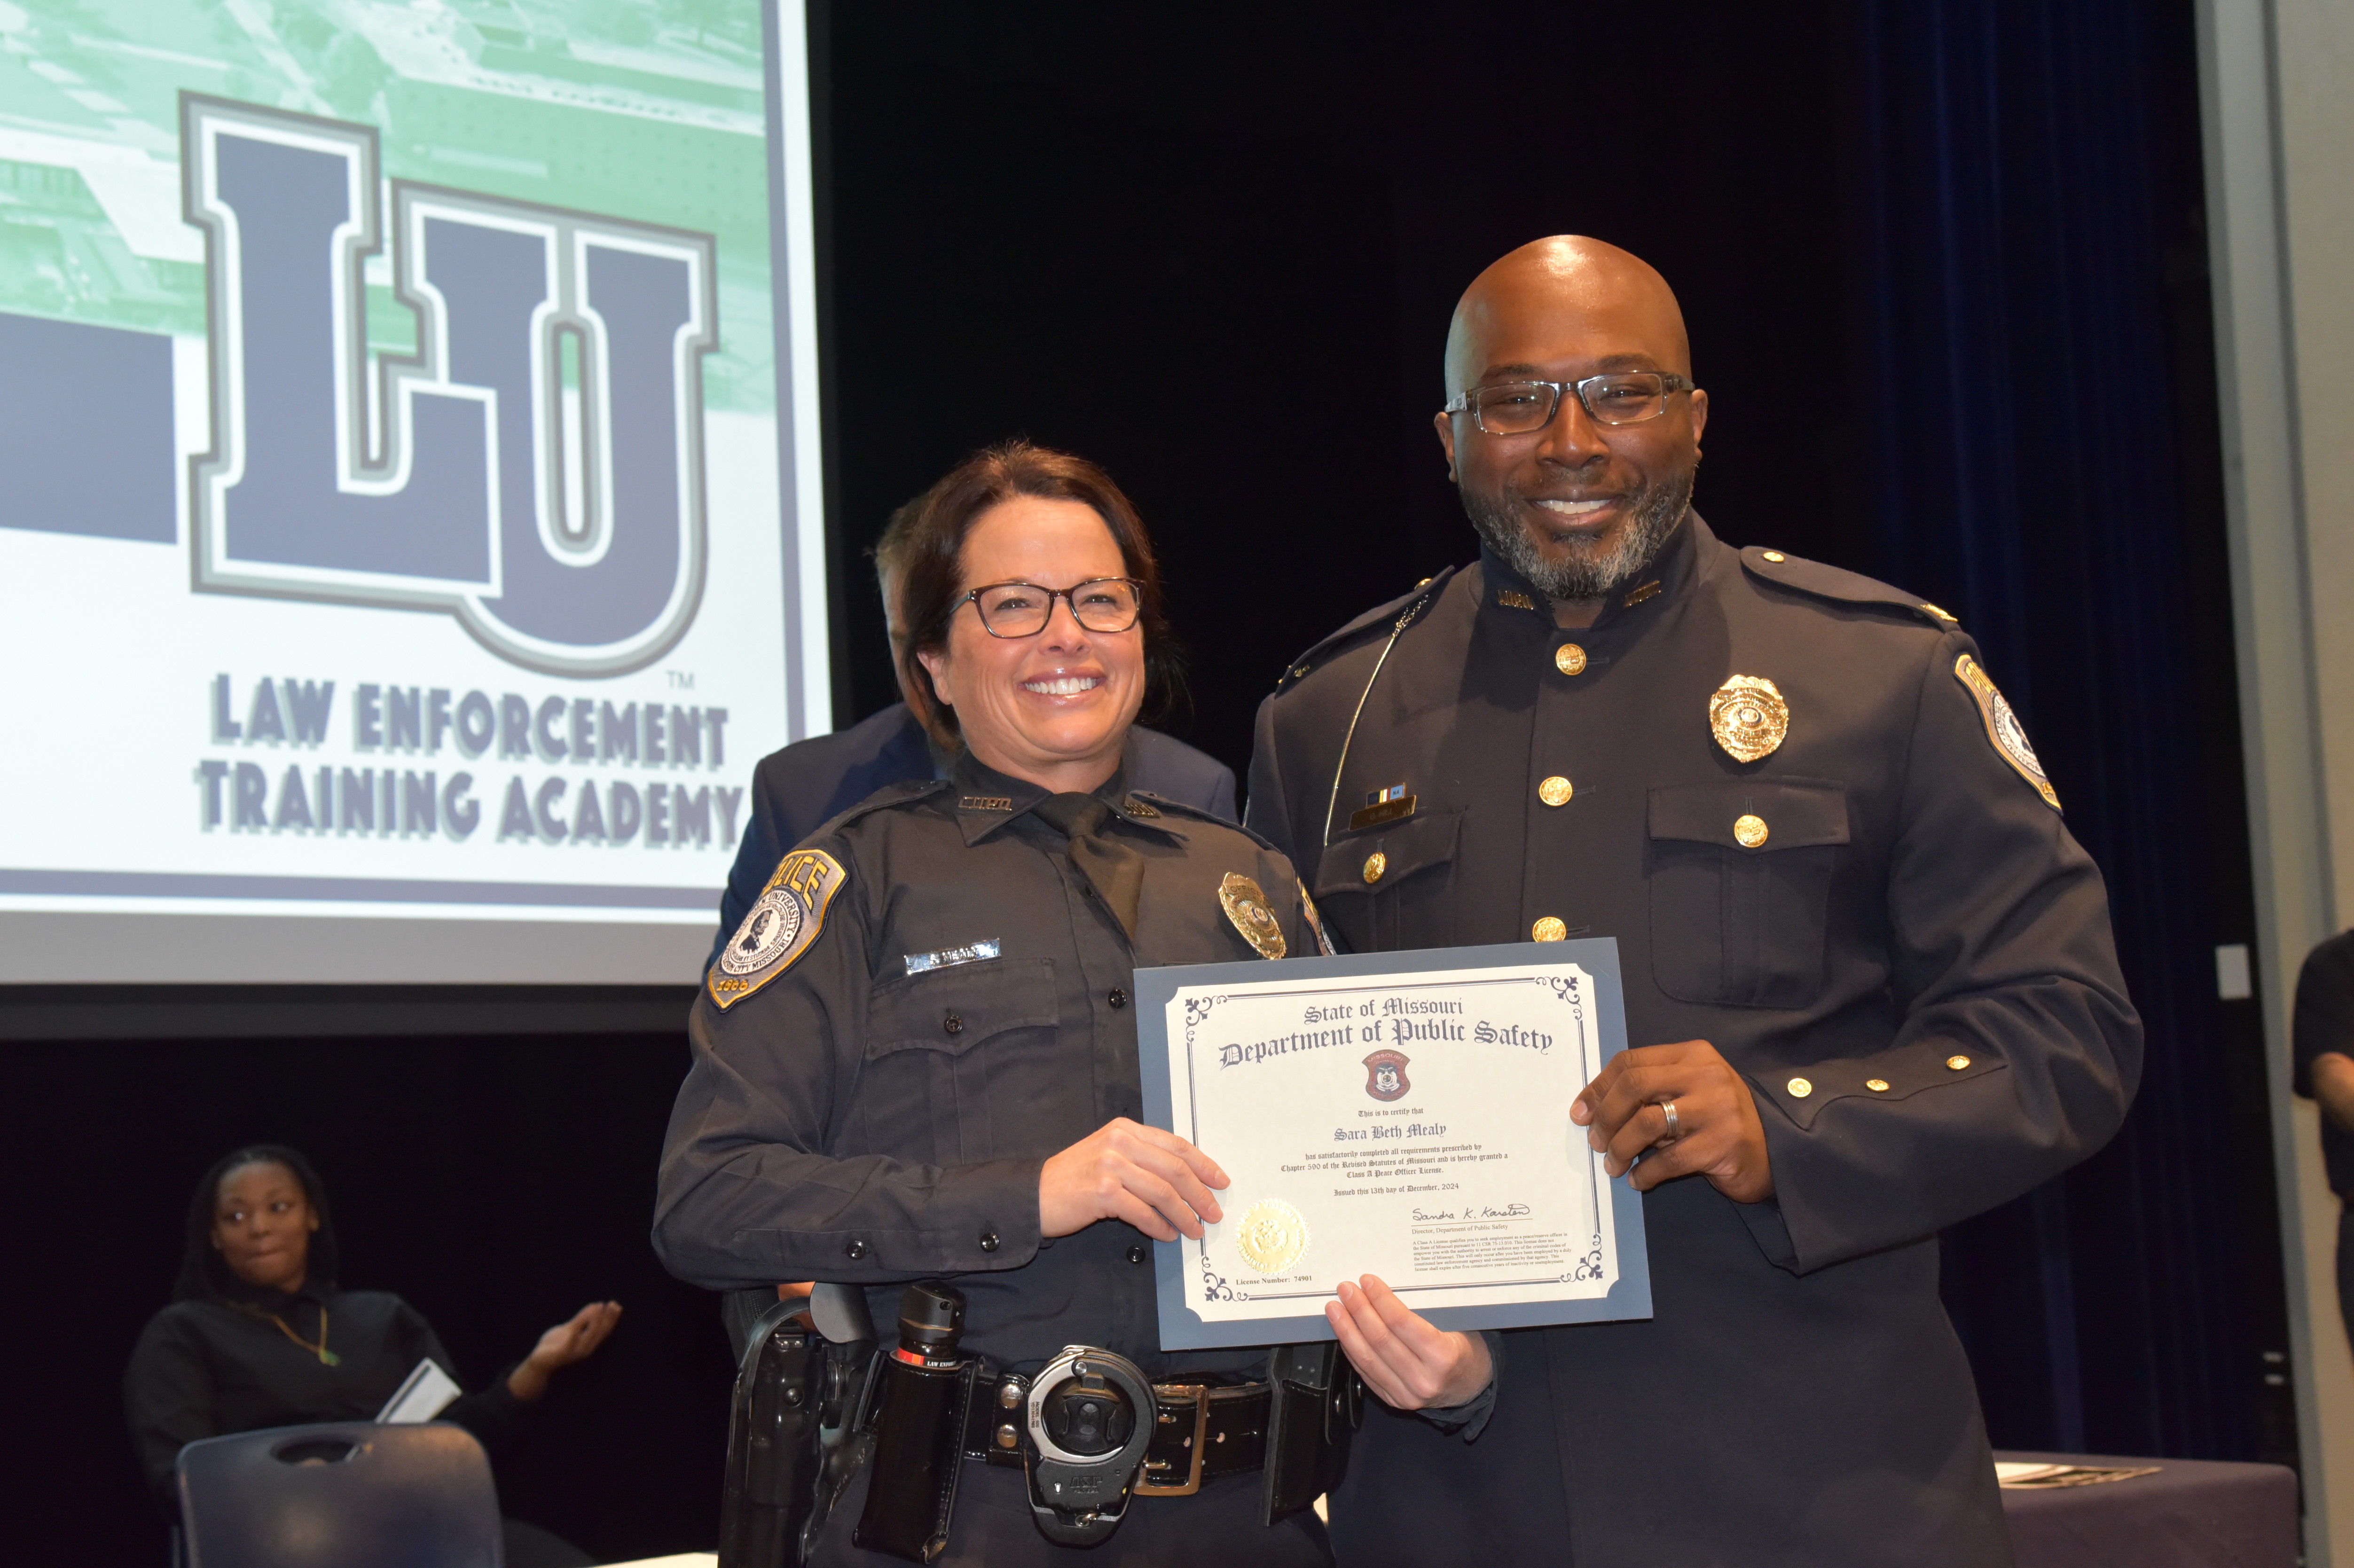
column 931, row 559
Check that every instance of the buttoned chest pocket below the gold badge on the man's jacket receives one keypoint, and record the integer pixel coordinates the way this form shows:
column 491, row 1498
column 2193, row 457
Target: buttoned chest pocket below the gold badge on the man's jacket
column 1741, row 889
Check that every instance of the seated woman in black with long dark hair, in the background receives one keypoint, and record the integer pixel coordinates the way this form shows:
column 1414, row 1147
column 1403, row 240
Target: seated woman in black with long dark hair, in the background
column 260, row 1336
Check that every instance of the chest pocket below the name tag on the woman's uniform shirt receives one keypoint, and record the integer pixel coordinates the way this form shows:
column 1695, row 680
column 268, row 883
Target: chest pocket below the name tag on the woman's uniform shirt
column 938, row 1042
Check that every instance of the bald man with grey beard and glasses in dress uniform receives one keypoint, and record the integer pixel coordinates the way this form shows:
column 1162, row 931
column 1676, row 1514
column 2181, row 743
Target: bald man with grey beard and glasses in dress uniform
column 1870, row 976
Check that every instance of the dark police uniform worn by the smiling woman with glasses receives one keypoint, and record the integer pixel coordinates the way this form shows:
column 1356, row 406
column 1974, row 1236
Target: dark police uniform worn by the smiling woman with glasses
column 882, row 1105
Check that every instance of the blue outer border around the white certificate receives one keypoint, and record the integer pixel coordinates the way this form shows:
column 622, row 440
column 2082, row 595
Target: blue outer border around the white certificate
column 1185, row 1329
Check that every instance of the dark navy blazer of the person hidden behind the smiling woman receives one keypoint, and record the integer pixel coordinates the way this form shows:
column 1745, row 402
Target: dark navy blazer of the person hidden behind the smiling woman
column 799, row 790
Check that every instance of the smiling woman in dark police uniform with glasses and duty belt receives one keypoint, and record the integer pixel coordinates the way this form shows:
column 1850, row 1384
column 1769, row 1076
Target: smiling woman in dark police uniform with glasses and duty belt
column 917, row 1058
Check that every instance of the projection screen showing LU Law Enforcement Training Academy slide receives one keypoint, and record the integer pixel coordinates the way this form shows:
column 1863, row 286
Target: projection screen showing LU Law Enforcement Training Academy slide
column 411, row 521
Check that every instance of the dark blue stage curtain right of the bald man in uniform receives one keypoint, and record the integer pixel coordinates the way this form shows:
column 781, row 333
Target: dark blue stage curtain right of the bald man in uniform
column 2044, row 470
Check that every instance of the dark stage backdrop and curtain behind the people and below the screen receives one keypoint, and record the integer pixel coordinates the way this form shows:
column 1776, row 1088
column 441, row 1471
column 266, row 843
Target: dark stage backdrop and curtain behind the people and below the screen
column 1946, row 284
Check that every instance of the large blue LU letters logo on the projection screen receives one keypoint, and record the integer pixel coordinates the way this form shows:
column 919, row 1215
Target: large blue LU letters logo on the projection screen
column 441, row 481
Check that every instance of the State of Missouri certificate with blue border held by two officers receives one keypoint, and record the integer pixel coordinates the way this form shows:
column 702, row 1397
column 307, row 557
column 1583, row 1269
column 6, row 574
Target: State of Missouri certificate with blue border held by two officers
column 1397, row 1115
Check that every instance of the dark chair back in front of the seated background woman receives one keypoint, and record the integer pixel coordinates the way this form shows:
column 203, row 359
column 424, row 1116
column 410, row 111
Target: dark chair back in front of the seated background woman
column 340, row 1496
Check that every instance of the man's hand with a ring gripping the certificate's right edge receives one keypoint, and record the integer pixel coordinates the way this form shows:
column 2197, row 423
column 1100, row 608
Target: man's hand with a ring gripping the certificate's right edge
column 1717, row 1122
